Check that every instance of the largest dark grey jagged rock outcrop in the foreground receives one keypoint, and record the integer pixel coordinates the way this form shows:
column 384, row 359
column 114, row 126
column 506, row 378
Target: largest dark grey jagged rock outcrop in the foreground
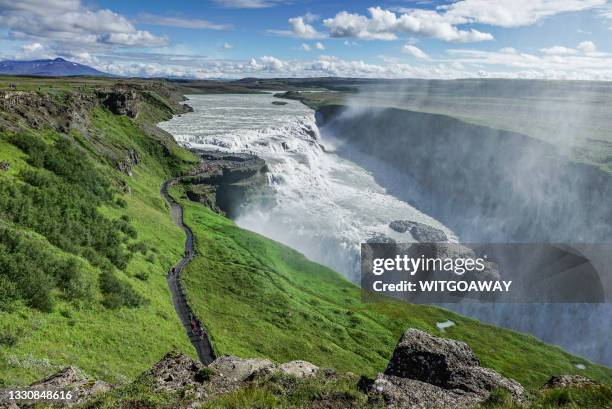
column 431, row 372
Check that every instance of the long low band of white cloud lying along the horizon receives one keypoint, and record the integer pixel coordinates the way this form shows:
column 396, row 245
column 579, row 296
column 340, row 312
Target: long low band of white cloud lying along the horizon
column 461, row 63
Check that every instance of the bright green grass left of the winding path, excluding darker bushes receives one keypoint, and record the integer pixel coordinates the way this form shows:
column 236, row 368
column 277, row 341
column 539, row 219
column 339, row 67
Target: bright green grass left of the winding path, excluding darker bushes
column 110, row 344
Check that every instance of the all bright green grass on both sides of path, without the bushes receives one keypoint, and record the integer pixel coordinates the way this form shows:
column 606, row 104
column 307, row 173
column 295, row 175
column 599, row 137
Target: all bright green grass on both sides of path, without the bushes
column 257, row 297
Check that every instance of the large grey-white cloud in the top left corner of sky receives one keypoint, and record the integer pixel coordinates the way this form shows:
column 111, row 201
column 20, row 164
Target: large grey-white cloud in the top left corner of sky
column 69, row 22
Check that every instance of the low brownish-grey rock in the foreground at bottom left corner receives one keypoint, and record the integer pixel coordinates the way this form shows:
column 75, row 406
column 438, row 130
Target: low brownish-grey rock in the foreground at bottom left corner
column 72, row 379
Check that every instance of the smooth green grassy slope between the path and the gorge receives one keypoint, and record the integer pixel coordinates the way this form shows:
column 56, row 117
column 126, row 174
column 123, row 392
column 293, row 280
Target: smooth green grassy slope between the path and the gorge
column 260, row 298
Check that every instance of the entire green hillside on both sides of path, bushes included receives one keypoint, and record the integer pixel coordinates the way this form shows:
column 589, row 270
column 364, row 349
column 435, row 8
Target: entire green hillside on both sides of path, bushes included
column 84, row 249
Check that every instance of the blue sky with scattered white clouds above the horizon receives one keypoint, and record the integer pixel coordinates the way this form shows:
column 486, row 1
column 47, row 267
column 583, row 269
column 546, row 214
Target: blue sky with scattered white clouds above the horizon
column 544, row 39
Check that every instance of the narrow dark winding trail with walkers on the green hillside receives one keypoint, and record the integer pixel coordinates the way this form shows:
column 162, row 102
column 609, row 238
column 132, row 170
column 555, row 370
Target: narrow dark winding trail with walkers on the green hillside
column 198, row 336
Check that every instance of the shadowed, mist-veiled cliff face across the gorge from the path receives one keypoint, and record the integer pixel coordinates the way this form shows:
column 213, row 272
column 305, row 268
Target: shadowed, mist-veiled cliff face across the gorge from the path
column 484, row 183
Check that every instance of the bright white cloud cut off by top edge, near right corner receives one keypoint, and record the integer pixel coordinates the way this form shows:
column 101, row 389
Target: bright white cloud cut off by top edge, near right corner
column 513, row 13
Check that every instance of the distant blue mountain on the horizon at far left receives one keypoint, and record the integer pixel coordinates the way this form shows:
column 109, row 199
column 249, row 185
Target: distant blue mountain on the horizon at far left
column 53, row 68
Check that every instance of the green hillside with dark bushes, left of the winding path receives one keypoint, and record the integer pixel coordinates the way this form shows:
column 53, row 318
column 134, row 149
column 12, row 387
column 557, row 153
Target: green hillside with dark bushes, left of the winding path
column 82, row 261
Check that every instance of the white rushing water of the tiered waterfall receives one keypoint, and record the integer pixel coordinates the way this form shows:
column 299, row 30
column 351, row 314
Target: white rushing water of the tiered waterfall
column 325, row 205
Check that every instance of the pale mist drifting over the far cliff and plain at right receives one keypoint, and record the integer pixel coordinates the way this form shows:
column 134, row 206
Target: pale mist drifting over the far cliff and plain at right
column 496, row 161
